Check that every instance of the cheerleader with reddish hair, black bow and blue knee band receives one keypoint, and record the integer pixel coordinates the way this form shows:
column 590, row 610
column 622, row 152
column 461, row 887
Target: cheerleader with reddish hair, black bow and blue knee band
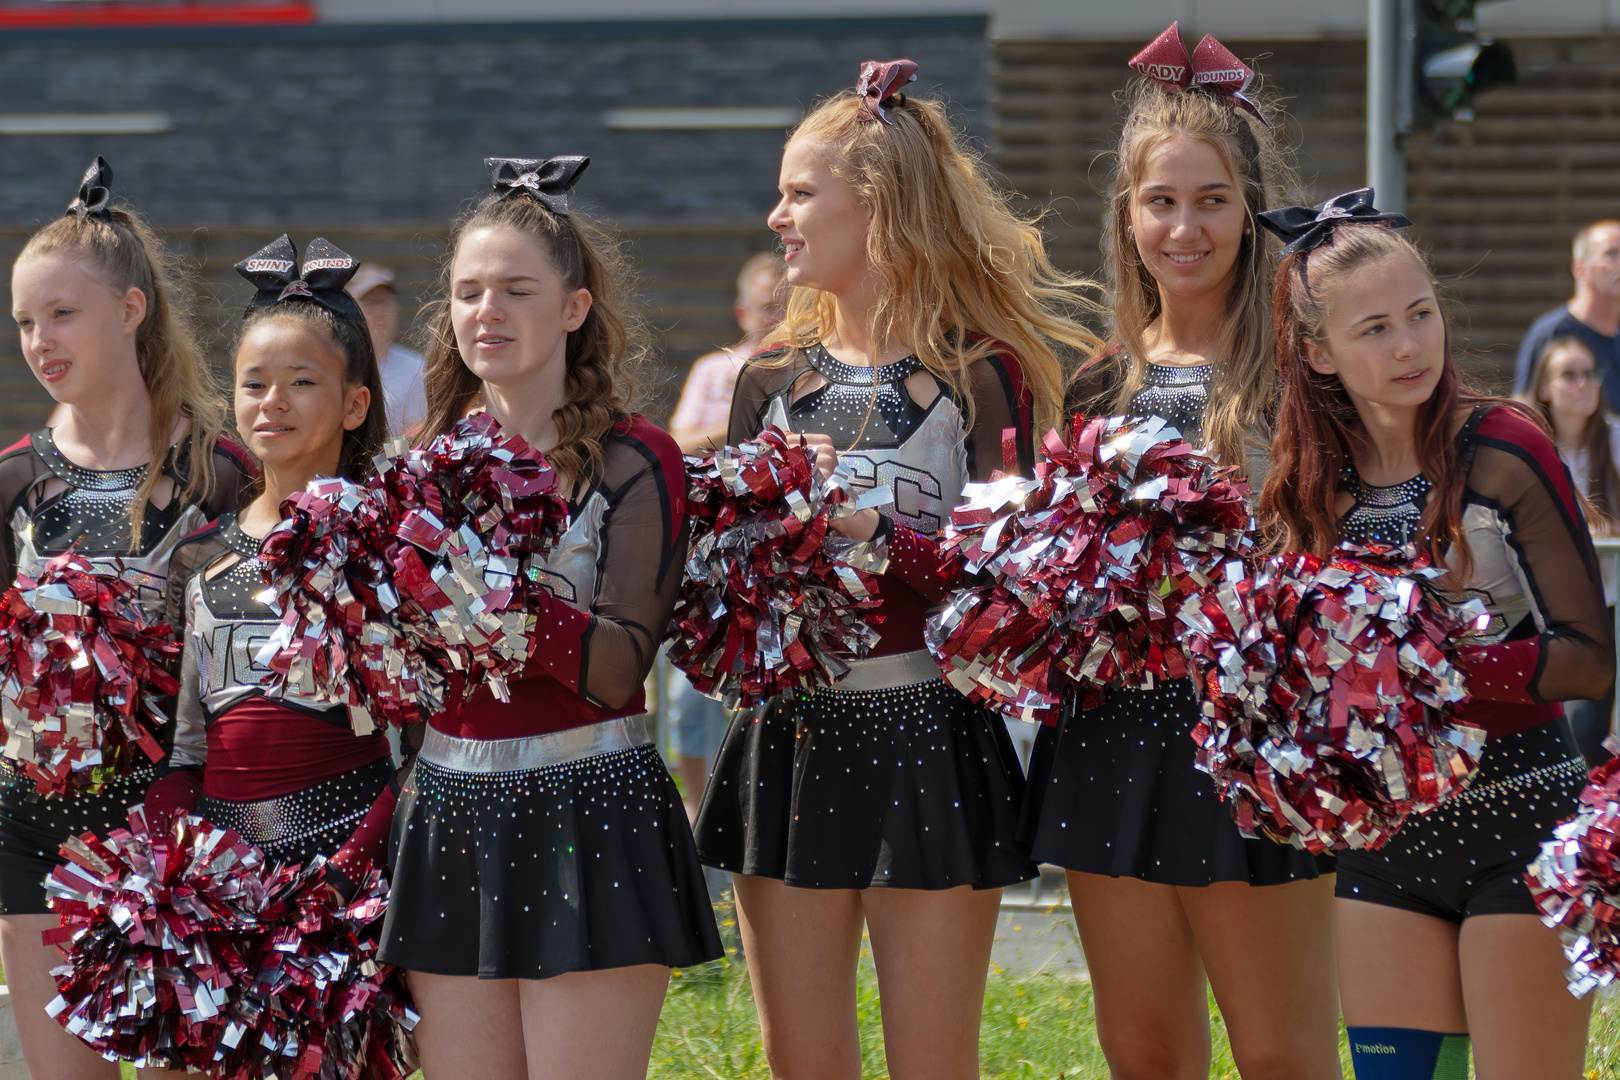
column 1379, row 441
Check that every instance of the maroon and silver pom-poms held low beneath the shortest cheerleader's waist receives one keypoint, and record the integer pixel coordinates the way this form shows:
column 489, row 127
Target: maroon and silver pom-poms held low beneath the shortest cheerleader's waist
column 189, row 951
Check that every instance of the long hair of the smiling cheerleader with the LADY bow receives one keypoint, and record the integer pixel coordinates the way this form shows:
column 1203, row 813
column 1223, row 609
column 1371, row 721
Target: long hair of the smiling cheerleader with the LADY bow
column 1247, row 381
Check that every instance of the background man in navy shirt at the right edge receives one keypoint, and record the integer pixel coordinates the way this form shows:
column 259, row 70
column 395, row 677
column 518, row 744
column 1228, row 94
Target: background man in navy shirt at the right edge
column 1593, row 315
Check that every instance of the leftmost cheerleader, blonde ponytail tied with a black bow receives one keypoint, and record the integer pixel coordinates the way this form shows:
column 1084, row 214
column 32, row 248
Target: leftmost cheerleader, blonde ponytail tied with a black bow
column 135, row 464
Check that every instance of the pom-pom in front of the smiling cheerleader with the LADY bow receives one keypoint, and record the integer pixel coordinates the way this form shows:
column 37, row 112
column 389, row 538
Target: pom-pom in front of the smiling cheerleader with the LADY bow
column 1088, row 566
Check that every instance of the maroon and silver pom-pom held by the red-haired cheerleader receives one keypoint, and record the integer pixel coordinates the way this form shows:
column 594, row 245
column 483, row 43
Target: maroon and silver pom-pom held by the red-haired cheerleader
column 1329, row 691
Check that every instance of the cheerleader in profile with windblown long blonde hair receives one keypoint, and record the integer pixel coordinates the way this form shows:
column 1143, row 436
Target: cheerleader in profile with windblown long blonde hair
column 921, row 328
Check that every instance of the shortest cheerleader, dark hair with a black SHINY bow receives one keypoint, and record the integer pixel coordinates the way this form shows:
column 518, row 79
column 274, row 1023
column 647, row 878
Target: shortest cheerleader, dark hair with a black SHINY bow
column 288, row 775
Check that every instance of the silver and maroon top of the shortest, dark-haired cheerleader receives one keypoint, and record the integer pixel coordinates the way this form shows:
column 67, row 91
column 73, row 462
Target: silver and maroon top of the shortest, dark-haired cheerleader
column 254, row 747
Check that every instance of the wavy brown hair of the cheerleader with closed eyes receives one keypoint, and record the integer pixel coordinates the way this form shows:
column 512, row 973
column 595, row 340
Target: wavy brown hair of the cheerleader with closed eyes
column 603, row 355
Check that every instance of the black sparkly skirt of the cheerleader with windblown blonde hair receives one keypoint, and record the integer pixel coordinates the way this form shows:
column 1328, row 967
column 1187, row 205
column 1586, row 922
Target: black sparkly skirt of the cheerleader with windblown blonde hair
column 910, row 788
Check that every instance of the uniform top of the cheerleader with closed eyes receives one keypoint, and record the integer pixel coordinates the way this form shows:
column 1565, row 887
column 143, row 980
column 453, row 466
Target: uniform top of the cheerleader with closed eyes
column 613, row 582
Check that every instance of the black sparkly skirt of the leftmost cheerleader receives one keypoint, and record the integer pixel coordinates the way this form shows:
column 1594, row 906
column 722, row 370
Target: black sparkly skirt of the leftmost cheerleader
column 35, row 827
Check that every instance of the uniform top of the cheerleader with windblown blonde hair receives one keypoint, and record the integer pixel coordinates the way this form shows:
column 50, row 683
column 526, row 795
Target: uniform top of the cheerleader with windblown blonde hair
column 924, row 453
